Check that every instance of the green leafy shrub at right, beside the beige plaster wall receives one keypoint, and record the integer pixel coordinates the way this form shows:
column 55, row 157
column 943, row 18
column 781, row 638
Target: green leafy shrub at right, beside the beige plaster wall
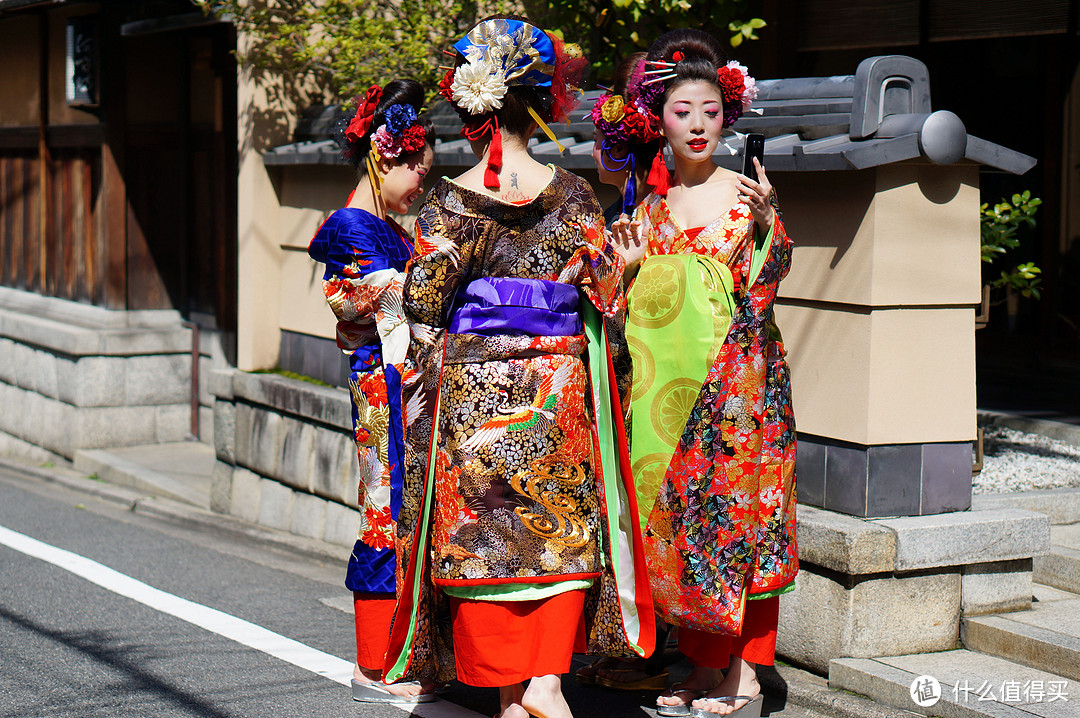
column 1001, row 226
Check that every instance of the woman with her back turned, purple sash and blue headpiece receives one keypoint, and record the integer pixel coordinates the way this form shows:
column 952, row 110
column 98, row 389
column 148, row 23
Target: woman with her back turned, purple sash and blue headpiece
column 518, row 521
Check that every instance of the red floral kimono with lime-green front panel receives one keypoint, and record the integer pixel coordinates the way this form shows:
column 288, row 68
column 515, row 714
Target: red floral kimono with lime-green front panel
column 714, row 433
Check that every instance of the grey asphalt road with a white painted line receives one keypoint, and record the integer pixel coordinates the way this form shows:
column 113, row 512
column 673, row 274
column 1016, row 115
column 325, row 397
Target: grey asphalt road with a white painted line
column 71, row 647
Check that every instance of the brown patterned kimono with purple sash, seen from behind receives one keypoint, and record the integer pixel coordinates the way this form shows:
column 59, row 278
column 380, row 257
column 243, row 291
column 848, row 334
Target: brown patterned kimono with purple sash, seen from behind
column 517, row 468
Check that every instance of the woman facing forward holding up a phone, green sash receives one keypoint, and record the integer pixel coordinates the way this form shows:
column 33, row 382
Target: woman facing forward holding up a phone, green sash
column 713, row 431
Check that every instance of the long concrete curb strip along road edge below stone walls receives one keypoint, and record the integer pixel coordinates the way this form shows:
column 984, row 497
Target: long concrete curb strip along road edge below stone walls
column 178, row 512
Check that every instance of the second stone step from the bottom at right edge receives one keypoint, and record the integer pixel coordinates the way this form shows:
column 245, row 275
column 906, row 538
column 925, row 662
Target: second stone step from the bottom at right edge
column 1046, row 638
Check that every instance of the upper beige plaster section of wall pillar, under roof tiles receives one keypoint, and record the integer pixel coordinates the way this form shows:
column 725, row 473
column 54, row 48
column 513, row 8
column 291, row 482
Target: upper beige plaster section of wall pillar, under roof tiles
column 901, row 235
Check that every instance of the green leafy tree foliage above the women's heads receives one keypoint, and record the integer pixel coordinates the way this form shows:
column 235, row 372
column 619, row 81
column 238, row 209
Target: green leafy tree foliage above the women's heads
column 320, row 51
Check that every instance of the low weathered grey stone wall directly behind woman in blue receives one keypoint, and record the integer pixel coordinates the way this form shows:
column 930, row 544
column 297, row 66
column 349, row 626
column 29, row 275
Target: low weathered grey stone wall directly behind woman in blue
column 286, row 455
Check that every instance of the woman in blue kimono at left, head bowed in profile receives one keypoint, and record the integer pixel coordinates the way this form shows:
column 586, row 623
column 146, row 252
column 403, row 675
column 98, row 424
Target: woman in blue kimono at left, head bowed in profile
column 366, row 253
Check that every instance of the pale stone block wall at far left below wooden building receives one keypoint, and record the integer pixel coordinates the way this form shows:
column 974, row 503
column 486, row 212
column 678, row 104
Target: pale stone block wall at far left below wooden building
column 78, row 377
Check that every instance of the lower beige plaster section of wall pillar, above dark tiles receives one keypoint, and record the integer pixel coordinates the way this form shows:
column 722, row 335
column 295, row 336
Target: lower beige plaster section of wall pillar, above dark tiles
column 890, row 376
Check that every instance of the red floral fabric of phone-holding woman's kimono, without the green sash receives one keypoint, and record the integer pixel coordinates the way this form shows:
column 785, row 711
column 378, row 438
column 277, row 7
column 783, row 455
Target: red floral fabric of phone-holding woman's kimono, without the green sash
column 723, row 525
